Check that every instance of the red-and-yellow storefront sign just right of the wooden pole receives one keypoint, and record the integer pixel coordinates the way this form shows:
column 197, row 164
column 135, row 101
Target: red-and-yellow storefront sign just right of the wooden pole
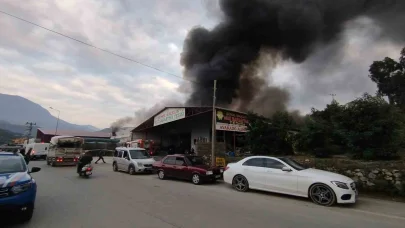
column 231, row 121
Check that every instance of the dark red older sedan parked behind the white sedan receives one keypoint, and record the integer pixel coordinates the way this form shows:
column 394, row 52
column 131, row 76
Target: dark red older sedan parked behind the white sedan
column 187, row 167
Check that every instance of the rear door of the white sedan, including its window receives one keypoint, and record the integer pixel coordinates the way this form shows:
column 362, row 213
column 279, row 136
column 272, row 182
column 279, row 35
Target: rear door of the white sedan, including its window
column 255, row 172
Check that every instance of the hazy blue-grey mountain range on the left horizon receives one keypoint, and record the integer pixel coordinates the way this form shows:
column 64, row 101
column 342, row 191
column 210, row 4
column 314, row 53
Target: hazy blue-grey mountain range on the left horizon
column 16, row 111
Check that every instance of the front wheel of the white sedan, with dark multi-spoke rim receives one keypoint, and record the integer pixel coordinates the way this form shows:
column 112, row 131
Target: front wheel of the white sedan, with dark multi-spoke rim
column 322, row 194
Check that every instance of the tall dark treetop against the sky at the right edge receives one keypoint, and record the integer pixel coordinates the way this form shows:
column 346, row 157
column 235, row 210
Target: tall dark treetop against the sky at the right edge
column 389, row 75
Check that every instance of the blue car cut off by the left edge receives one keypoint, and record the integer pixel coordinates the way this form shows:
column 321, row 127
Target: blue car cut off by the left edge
column 17, row 187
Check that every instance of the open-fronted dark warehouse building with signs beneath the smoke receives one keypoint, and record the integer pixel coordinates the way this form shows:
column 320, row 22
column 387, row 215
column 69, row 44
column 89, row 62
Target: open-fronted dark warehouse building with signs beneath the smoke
column 181, row 129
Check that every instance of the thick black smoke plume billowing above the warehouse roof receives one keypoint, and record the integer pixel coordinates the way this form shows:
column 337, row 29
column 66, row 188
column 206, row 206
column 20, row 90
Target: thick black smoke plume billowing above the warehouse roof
column 286, row 29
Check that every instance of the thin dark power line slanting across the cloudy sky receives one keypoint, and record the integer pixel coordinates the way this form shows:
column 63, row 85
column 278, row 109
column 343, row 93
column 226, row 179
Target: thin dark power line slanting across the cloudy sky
column 98, row 48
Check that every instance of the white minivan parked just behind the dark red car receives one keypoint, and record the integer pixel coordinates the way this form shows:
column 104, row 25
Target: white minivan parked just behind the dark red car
column 132, row 160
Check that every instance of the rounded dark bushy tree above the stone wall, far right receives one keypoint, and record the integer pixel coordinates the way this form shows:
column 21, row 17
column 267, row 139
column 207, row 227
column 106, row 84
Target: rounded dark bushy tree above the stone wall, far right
column 372, row 128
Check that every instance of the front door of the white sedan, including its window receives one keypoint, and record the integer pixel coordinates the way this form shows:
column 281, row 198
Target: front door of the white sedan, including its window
column 279, row 180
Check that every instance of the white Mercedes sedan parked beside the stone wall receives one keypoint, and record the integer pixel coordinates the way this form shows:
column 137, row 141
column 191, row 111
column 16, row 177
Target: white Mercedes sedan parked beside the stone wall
column 284, row 175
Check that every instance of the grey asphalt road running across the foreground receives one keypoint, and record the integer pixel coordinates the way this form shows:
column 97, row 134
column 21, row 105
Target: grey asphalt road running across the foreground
column 112, row 199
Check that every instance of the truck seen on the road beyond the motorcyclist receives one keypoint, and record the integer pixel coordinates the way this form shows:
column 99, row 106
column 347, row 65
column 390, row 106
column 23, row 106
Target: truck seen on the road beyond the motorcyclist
column 64, row 150
